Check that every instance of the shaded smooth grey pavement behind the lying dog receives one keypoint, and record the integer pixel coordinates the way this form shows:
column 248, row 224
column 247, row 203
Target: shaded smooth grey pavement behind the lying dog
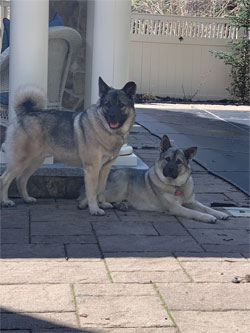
column 223, row 147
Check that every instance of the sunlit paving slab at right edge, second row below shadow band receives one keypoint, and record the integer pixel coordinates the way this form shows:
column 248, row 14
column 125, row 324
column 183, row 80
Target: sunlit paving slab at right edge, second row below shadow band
column 205, row 296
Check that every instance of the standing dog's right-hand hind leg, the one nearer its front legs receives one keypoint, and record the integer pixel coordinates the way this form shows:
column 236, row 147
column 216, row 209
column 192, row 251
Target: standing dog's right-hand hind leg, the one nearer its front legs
column 22, row 180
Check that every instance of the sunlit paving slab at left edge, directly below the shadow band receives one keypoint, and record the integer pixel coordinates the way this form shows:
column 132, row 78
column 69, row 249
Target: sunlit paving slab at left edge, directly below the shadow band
column 53, row 272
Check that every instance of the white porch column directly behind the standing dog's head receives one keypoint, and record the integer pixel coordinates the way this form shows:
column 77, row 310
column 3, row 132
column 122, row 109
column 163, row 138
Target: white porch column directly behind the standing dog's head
column 108, row 32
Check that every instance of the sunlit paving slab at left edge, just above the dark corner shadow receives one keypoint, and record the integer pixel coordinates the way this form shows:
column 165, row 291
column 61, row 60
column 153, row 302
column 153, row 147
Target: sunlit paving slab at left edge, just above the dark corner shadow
column 37, row 298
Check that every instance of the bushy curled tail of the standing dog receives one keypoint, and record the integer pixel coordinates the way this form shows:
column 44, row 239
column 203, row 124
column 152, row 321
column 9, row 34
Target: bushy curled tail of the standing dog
column 30, row 98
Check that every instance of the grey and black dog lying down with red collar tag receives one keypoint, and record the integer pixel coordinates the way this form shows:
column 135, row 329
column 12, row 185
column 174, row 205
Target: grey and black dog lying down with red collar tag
column 165, row 187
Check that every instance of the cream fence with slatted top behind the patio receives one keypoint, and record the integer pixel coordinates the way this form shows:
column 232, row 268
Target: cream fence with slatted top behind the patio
column 169, row 56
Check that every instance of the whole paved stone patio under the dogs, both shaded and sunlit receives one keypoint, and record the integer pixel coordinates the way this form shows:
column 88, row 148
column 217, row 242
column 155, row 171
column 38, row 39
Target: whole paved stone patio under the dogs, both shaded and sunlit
column 136, row 272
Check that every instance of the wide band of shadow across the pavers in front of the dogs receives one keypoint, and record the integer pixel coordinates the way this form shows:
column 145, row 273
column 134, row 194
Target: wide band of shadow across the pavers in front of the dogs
column 65, row 233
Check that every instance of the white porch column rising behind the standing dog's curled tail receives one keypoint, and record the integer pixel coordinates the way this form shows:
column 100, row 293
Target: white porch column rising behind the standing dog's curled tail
column 28, row 45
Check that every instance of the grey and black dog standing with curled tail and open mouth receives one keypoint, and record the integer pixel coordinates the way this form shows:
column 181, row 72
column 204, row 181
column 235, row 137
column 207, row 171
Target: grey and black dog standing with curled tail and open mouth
column 91, row 139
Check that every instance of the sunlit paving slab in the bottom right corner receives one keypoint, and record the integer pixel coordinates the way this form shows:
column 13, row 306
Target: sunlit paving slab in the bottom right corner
column 211, row 322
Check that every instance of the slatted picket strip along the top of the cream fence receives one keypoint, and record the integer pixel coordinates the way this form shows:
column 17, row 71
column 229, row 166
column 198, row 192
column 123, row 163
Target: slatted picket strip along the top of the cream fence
column 180, row 26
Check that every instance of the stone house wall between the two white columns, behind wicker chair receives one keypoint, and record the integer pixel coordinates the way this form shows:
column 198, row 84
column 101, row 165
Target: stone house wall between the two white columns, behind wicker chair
column 74, row 14
